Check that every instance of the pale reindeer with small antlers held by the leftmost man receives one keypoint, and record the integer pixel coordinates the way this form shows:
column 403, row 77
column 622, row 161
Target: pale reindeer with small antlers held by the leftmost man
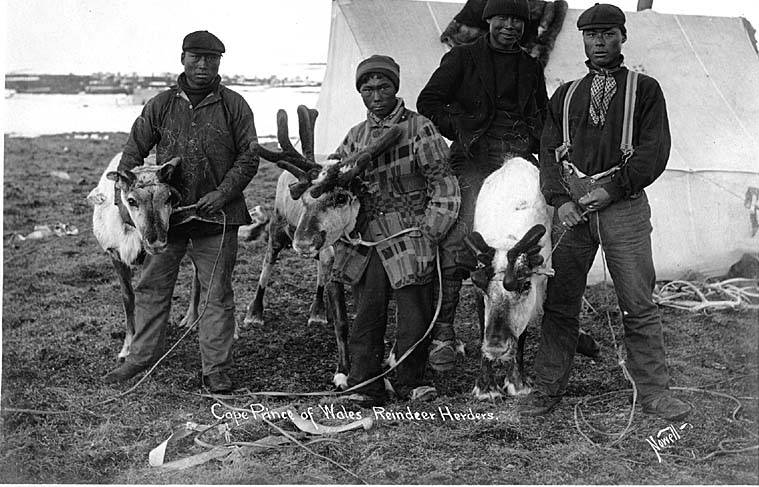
column 135, row 224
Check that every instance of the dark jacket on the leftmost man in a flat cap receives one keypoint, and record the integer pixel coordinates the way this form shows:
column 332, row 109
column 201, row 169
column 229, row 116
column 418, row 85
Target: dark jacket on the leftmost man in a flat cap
column 212, row 138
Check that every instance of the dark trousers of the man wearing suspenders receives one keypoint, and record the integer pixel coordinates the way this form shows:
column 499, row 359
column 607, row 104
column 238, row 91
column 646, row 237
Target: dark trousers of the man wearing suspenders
column 625, row 231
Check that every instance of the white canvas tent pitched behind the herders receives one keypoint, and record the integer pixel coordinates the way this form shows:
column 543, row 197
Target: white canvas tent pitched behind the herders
column 708, row 70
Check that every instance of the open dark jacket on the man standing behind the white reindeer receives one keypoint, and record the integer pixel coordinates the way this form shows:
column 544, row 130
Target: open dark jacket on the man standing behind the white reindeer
column 459, row 98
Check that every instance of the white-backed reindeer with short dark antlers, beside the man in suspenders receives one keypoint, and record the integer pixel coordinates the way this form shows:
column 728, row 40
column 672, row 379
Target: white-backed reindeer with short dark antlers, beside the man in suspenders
column 511, row 238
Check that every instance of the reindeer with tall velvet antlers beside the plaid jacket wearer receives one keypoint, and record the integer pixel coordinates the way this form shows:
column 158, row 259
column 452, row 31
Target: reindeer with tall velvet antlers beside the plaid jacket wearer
column 315, row 205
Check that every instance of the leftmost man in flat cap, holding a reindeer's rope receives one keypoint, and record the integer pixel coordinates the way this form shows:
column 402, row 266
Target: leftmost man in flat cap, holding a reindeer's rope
column 210, row 127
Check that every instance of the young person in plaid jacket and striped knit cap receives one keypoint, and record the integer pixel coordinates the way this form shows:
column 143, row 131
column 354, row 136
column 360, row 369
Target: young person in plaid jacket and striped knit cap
column 410, row 186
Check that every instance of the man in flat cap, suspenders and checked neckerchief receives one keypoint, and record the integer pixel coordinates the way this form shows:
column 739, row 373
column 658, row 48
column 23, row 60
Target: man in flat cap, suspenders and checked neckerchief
column 596, row 185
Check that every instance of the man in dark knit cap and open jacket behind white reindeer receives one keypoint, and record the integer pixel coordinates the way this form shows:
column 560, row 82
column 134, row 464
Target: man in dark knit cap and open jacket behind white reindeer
column 489, row 98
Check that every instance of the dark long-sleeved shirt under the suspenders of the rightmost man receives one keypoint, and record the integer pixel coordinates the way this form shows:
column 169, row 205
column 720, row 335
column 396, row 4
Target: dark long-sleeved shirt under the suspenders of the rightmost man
column 596, row 149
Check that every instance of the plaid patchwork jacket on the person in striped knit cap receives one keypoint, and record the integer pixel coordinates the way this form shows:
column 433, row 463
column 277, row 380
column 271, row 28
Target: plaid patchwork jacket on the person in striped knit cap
column 409, row 186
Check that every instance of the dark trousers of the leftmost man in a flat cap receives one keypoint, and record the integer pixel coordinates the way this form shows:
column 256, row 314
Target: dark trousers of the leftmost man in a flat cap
column 156, row 286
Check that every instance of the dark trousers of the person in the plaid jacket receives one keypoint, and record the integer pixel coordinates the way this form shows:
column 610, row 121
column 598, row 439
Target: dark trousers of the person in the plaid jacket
column 414, row 310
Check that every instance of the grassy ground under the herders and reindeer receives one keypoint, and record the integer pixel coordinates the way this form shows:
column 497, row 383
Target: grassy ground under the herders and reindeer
column 62, row 323
